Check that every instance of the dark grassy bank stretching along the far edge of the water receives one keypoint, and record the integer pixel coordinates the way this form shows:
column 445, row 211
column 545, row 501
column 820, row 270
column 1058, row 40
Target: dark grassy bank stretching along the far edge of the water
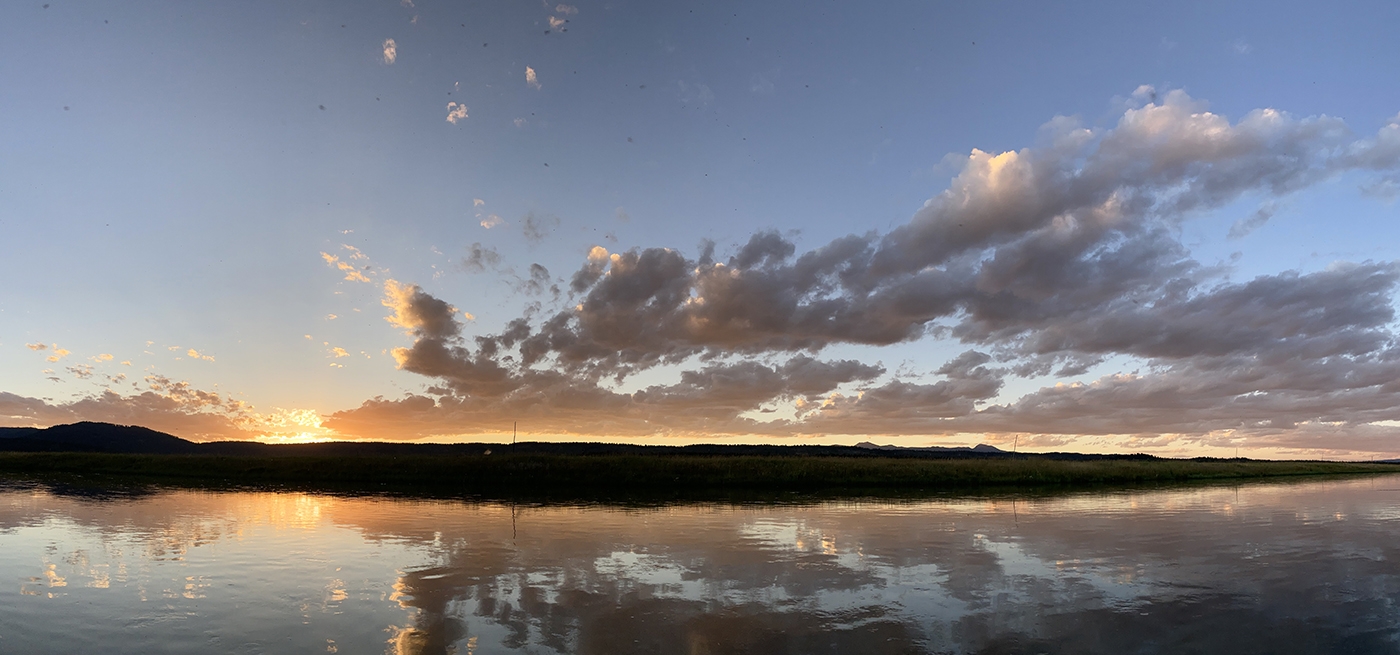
column 583, row 475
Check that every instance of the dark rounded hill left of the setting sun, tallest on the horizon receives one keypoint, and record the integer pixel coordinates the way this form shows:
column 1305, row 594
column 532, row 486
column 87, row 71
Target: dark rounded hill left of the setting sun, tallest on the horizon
column 94, row 437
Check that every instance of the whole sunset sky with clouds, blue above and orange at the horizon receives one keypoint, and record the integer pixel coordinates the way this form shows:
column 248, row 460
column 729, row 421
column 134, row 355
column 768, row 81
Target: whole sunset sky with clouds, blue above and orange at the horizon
column 1164, row 227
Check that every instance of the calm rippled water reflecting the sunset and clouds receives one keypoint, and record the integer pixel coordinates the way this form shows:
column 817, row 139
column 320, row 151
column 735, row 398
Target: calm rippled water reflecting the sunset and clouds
column 1277, row 569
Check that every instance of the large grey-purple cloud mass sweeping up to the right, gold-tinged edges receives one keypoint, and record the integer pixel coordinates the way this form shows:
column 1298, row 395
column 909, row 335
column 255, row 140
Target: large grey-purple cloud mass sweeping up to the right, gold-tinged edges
column 1044, row 261
